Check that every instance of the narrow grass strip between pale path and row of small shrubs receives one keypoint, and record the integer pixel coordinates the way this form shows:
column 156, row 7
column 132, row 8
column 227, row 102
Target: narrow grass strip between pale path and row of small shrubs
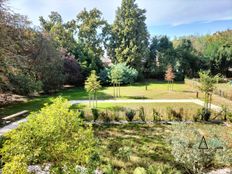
column 189, row 109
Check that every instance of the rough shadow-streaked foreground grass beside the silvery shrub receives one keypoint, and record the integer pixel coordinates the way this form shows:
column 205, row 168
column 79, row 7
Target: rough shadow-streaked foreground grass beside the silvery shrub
column 147, row 143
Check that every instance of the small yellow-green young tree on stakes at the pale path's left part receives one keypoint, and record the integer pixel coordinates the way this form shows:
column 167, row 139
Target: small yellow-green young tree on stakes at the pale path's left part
column 92, row 85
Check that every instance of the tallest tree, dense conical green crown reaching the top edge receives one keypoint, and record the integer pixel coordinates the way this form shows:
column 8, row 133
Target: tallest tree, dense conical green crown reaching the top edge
column 129, row 35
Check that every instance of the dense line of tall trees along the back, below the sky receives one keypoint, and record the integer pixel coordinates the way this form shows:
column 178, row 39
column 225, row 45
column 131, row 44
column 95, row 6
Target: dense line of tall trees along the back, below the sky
column 59, row 52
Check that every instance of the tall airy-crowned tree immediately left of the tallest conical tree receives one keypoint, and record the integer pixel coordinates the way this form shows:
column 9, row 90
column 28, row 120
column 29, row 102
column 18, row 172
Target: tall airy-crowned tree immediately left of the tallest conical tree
column 90, row 25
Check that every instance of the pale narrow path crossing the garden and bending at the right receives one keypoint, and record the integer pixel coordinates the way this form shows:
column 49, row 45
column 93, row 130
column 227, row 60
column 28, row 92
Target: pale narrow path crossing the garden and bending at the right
column 196, row 101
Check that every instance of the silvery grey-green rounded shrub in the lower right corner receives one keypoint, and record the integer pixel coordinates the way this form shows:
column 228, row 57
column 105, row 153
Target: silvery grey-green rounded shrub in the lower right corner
column 185, row 142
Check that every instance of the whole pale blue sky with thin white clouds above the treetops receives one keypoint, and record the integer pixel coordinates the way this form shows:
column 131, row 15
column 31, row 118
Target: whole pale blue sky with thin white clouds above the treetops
column 169, row 17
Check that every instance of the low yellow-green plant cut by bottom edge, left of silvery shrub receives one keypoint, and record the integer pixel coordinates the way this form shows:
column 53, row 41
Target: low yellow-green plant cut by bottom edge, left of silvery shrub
column 162, row 169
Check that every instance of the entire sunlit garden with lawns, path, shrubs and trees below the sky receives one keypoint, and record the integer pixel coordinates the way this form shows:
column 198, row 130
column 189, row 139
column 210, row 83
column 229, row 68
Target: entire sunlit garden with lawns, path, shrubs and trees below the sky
column 89, row 96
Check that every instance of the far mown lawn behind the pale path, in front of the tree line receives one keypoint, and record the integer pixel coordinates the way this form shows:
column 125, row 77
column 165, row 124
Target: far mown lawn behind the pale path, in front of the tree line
column 155, row 90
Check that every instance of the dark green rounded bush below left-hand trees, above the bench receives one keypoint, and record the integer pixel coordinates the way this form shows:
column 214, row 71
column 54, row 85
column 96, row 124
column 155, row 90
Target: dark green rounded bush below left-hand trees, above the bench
column 24, row 84
